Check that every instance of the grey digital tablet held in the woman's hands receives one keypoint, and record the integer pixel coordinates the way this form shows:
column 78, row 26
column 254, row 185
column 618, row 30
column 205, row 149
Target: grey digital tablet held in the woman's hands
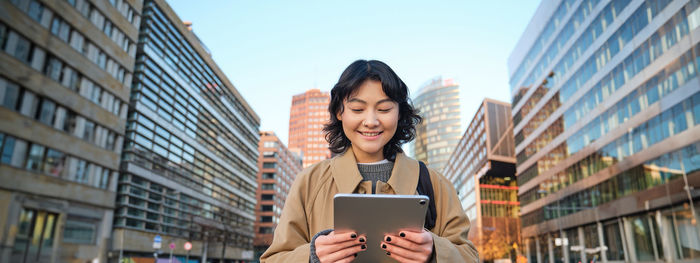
column 377, row 215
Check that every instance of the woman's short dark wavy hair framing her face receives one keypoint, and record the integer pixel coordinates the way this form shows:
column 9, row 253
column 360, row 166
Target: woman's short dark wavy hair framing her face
column 351, row 79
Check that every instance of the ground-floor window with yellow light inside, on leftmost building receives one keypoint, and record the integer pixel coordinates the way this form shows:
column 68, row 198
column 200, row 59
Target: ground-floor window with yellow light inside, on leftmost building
column 35, row 236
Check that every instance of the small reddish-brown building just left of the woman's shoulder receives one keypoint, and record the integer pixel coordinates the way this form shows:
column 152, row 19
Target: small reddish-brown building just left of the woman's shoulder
column 277, row 168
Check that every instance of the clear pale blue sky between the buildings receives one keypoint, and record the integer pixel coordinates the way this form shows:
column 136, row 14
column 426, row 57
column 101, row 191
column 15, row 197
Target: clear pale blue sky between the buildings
column 272, row 50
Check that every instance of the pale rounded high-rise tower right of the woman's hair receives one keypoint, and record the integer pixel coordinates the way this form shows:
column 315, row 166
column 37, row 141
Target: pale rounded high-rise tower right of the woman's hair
column 436, row 137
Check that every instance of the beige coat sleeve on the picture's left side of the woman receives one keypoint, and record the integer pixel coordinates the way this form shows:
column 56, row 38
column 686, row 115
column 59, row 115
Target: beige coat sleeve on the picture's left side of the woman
column 291, row 239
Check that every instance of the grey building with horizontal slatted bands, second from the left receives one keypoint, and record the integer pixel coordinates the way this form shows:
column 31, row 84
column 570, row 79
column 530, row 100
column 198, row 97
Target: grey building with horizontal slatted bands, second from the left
column 190, row 158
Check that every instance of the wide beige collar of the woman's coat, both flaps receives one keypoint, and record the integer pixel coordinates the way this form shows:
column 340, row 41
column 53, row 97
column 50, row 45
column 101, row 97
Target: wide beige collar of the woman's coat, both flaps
column 404, row 175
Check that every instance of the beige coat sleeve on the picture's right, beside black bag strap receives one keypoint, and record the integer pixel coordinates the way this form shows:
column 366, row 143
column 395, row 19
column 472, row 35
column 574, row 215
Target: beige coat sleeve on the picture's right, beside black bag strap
column 452, row 228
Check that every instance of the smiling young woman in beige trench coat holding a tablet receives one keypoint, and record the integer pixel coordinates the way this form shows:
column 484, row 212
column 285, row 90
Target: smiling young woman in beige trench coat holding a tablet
column 370, row 118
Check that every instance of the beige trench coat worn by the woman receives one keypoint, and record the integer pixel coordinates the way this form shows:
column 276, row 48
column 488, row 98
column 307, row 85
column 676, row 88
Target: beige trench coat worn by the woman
column 309, row 208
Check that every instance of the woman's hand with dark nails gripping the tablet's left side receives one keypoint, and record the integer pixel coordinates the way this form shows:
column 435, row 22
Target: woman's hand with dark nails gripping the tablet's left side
column 339, row 247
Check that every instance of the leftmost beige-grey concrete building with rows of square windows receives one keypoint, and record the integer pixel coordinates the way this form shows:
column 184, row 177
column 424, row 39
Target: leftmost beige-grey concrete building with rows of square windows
column 65, row 75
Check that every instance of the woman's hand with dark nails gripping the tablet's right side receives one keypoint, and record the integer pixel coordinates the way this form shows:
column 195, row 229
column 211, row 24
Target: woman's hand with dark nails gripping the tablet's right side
column 409, row 246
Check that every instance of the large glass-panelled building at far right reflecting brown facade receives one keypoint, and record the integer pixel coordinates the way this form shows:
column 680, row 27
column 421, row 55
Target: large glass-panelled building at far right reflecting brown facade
column 606, row 107
